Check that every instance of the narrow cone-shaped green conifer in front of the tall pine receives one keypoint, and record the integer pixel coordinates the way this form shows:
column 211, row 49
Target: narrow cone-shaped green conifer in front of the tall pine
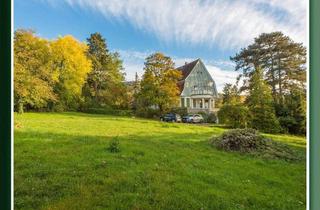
column 260, row 104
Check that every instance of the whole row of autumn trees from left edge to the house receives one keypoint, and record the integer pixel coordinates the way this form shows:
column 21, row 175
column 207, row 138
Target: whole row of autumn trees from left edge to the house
column 65, row 74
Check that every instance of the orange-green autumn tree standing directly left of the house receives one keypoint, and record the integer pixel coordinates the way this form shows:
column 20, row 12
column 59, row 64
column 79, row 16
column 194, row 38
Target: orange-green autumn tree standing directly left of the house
column 159, row 83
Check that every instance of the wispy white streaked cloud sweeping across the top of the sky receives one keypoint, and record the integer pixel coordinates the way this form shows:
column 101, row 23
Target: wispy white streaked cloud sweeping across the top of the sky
column 227, row 23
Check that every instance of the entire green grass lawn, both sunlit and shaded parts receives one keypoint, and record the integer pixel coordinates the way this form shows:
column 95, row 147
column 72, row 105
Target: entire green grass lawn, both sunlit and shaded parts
column 62, row 162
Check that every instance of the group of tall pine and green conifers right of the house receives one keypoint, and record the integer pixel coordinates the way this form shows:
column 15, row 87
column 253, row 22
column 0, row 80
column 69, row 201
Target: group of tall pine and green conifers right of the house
column 272, row 96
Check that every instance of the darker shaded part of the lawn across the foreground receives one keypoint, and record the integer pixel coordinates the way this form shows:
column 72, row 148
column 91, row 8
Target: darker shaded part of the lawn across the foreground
column 72, row 171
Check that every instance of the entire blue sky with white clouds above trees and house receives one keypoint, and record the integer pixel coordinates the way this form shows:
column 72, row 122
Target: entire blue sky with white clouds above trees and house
column 212, row 30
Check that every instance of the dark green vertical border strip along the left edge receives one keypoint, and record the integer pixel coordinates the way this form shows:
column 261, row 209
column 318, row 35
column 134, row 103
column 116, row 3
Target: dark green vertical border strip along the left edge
column 5, row 105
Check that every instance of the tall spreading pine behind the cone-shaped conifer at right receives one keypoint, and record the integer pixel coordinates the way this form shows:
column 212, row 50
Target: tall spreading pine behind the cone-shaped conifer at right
column 283, row 66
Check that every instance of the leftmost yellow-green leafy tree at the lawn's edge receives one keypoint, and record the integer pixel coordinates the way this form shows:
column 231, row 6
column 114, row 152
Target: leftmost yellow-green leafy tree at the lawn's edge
column 33, row 78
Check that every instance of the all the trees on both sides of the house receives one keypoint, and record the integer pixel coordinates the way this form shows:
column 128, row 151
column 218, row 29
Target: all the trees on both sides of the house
column 65, row 74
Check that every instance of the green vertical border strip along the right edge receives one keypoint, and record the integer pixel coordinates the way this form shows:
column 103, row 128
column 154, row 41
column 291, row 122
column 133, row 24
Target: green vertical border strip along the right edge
column 314, row 102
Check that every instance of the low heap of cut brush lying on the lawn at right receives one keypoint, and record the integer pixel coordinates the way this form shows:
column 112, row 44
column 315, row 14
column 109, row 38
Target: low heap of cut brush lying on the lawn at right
column 251, row 142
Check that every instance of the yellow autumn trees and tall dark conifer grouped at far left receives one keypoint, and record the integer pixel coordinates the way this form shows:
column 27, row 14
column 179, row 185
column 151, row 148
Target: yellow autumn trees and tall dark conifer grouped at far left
column 66, row 74
